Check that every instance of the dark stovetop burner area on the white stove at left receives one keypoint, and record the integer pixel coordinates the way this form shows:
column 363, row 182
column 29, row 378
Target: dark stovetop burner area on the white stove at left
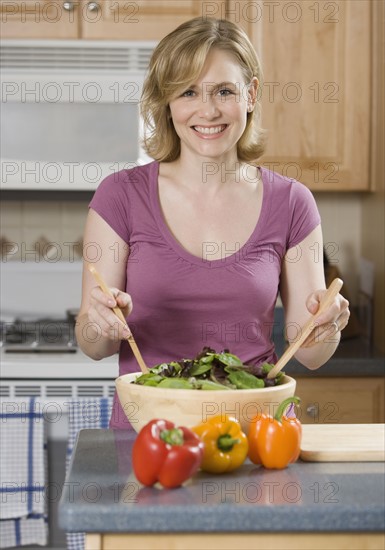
column 41, row 335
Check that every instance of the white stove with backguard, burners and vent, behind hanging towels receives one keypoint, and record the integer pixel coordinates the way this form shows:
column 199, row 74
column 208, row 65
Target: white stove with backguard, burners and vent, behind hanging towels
column 39, row 357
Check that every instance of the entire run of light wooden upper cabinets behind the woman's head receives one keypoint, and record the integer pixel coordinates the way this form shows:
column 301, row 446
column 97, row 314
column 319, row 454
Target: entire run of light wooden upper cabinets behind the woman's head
column 317, row 58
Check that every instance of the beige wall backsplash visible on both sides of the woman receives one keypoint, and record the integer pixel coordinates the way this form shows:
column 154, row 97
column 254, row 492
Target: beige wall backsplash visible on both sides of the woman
column 34, row 230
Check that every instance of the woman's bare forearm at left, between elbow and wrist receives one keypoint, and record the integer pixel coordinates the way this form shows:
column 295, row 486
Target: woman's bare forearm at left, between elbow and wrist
column 91, row 341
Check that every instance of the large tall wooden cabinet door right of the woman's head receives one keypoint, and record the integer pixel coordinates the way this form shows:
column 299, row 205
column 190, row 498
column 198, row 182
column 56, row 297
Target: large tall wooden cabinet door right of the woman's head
column 316, row 59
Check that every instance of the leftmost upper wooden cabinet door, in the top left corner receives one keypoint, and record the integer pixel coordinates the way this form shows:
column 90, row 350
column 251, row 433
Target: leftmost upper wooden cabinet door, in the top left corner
column 39, row 19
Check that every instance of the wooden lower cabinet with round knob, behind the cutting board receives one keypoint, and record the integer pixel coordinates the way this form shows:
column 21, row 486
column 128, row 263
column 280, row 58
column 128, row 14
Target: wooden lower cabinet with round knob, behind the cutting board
column 341, row 400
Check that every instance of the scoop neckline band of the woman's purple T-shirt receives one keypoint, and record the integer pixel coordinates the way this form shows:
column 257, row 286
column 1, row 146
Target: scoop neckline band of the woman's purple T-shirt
column 179, row 249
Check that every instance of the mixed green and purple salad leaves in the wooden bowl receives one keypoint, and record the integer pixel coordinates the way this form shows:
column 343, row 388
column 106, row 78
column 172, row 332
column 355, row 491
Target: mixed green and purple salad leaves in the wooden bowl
column 210, row 371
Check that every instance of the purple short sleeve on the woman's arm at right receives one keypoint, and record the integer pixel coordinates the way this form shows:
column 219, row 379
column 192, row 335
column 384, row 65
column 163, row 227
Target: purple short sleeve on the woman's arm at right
column 304, row 214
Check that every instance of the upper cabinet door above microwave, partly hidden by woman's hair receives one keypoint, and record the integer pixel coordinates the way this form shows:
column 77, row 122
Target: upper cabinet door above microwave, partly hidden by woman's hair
column 140, row 19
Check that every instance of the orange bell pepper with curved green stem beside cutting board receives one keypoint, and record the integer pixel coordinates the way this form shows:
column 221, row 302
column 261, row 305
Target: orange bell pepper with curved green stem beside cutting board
column 275, row 441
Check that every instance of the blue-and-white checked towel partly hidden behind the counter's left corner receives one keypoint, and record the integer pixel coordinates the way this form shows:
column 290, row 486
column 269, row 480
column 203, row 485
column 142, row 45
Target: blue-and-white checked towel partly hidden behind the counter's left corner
column 85, row 414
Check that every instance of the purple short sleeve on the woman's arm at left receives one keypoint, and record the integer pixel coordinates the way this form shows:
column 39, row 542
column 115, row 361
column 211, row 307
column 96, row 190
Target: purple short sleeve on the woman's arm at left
column 111, row 202
